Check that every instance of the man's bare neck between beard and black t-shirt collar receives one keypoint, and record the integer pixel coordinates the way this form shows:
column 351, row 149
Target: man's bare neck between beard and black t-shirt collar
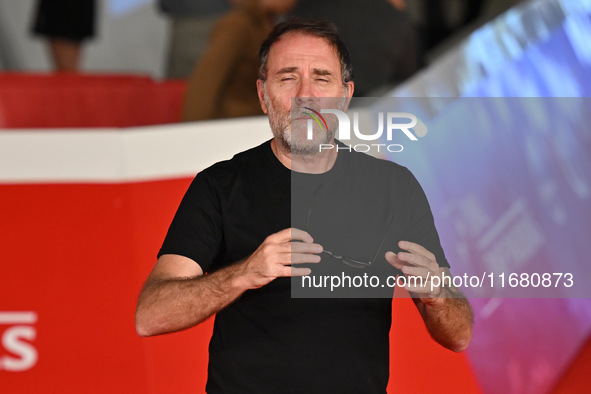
column 310, row 164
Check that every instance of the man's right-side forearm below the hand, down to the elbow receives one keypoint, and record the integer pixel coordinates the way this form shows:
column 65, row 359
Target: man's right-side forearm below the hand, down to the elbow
column 448, row 320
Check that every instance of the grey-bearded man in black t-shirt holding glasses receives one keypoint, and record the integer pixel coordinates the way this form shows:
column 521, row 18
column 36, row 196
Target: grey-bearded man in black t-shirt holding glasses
column 236, row 225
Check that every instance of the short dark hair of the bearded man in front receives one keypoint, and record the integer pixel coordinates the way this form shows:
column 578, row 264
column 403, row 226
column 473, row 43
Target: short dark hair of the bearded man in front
column 318, row 28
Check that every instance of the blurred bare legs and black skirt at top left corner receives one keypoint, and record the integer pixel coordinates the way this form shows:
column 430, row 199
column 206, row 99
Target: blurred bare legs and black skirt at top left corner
column 66, row 24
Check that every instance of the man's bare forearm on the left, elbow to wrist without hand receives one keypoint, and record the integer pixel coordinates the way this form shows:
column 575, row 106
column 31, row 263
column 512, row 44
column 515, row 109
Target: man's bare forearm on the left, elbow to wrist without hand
column 169, row 305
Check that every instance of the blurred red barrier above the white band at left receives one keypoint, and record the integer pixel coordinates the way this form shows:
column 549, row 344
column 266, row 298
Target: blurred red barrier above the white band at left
column 80, row 100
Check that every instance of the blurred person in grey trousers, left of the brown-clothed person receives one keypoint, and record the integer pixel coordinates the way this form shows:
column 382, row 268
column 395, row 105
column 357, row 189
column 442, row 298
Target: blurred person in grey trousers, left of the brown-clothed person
column 192, row 22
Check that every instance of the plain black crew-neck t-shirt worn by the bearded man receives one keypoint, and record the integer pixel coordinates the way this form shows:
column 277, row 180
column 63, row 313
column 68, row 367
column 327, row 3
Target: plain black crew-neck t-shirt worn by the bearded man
column 267, row 341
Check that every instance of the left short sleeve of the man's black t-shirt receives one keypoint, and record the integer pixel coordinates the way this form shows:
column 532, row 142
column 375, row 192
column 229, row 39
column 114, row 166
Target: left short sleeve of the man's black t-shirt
column 196, row 230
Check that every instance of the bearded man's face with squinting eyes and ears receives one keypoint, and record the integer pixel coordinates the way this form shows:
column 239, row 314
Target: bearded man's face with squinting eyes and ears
column 307, row 67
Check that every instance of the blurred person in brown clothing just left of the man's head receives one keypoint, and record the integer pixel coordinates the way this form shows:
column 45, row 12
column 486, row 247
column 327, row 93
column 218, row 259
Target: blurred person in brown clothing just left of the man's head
column 221, row 84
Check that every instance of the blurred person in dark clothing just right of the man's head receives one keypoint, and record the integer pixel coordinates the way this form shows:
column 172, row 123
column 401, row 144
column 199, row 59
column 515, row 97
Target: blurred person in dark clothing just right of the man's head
column 382, row 40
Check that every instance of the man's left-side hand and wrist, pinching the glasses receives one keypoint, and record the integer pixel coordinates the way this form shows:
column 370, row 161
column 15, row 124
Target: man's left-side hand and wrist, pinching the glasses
column 278, row 256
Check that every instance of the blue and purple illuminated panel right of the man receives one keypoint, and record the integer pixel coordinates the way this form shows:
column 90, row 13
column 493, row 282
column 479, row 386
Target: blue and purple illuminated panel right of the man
column 506, row 167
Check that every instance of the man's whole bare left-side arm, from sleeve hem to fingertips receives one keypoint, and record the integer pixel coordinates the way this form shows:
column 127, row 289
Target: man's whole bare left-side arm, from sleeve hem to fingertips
column 177, row 295
